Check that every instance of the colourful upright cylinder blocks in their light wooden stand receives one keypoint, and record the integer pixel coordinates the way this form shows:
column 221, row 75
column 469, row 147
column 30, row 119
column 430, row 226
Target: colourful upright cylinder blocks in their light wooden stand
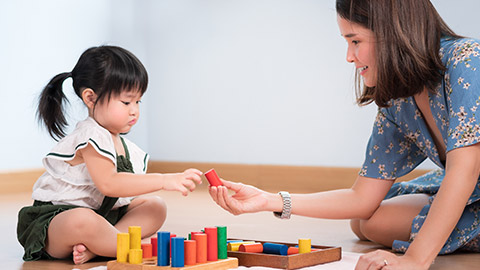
column 206, row 249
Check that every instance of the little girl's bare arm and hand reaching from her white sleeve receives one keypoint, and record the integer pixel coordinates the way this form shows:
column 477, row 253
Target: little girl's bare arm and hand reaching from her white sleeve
column 114, row 184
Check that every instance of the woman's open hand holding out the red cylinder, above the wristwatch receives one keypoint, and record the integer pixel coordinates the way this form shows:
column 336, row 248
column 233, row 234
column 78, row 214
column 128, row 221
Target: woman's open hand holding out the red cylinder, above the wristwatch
column 247, row 199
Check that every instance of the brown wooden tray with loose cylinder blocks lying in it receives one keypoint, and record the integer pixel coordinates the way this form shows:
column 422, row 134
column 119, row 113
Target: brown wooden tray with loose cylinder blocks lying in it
column 323, row 255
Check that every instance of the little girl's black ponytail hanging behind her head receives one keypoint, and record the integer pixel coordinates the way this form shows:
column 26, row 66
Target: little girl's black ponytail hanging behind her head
column 50, row 110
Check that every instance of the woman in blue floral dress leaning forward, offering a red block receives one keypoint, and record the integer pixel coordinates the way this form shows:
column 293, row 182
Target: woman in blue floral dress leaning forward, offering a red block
column 425, row 80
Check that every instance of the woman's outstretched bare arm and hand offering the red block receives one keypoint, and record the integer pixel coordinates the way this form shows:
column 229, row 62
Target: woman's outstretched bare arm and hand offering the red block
column 360, row 201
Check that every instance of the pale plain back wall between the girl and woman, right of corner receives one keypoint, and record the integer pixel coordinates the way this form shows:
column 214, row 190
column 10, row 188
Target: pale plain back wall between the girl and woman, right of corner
column 259, row 82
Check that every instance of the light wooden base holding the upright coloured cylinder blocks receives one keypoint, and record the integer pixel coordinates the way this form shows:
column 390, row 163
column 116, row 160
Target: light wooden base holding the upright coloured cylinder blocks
column 151, row 264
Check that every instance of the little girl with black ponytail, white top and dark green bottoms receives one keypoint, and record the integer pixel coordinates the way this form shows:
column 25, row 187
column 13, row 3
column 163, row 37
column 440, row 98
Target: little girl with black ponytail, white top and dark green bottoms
column 88, row 193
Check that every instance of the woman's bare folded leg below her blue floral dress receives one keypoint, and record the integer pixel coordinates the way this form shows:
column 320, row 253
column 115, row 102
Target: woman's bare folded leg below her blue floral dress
column 392, row 220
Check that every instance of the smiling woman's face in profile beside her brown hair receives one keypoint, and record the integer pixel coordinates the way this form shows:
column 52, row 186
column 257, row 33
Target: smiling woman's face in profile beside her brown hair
column 361, row 49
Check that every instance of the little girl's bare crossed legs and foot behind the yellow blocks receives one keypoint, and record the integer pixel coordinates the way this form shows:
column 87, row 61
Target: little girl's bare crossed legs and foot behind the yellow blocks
column 85, row 234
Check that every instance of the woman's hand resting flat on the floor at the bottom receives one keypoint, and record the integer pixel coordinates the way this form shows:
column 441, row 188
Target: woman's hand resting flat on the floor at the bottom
column 381, row 259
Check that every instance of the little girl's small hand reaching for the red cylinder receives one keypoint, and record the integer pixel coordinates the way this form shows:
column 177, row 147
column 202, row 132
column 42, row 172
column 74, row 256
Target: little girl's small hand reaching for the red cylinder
column 183, row 182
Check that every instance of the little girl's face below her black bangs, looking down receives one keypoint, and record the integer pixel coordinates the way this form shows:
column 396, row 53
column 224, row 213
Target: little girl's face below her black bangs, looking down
column 120, row 113
